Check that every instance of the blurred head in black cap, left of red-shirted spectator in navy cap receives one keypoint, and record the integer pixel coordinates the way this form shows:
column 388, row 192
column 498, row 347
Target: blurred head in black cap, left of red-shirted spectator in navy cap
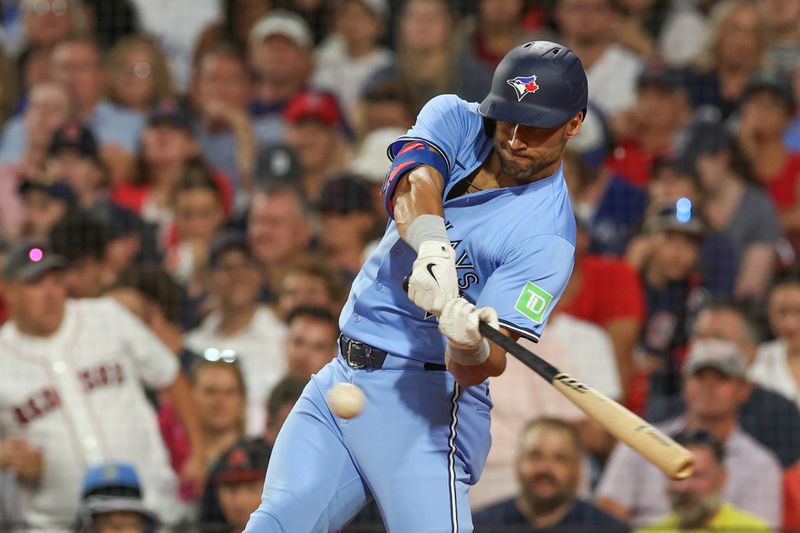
column 73, row 157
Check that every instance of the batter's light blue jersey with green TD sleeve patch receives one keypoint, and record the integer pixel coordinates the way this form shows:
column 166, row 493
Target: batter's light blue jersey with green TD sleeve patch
column 514, row 246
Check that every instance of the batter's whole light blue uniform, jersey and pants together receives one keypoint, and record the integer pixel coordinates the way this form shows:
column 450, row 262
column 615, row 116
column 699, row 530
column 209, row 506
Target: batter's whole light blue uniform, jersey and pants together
column 421, row 440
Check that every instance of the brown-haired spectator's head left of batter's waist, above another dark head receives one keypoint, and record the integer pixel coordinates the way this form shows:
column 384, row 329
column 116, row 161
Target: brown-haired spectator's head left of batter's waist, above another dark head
column 309, row 282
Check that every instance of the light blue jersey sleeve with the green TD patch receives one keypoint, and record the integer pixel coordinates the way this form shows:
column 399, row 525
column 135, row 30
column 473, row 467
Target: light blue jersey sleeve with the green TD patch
column 527, row 285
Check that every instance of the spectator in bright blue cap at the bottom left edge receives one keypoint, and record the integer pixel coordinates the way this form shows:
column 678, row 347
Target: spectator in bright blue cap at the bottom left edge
column 111, row 501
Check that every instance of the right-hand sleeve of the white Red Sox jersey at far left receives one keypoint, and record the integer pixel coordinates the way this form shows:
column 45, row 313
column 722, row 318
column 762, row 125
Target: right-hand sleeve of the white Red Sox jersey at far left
column 155, row 365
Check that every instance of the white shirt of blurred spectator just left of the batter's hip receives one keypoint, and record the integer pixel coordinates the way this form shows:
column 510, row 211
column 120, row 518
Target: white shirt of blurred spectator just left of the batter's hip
column 260, row 350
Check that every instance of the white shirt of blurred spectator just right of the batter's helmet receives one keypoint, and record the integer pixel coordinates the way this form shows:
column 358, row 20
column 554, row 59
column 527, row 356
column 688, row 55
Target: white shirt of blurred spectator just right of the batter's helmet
column 612, row 79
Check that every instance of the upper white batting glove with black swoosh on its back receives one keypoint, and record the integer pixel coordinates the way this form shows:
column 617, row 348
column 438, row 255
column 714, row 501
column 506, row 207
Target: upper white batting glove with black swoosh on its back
column 433, row 279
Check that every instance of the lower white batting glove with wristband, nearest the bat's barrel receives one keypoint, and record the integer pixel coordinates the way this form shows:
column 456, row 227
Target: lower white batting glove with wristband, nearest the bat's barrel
column 459, row 323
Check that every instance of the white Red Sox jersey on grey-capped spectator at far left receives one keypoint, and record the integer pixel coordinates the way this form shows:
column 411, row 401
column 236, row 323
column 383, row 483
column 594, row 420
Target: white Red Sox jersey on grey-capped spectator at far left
column 78, row 396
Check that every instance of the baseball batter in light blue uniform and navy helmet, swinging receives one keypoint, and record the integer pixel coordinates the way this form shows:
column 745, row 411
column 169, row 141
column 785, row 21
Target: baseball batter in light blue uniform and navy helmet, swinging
column 483, row 223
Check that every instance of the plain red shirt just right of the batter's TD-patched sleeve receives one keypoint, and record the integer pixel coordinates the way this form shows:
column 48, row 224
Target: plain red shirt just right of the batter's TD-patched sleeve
column 610, row 289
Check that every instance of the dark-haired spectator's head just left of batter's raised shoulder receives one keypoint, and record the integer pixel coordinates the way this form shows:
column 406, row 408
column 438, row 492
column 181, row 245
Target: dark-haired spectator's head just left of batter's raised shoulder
column 385, row 104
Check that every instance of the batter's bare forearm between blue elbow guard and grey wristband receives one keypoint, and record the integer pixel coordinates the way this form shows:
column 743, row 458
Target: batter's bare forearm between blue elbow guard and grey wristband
column 417, row 193
